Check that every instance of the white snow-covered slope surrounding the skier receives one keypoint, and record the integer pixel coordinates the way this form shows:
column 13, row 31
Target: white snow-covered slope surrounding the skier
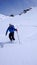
column 24, row 53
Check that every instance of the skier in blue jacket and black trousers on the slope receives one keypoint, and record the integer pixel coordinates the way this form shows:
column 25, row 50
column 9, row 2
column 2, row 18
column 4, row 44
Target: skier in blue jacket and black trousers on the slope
column 11, row 29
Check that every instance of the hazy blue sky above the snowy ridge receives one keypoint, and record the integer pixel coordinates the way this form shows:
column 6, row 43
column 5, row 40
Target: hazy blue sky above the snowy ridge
column 8, row 7
